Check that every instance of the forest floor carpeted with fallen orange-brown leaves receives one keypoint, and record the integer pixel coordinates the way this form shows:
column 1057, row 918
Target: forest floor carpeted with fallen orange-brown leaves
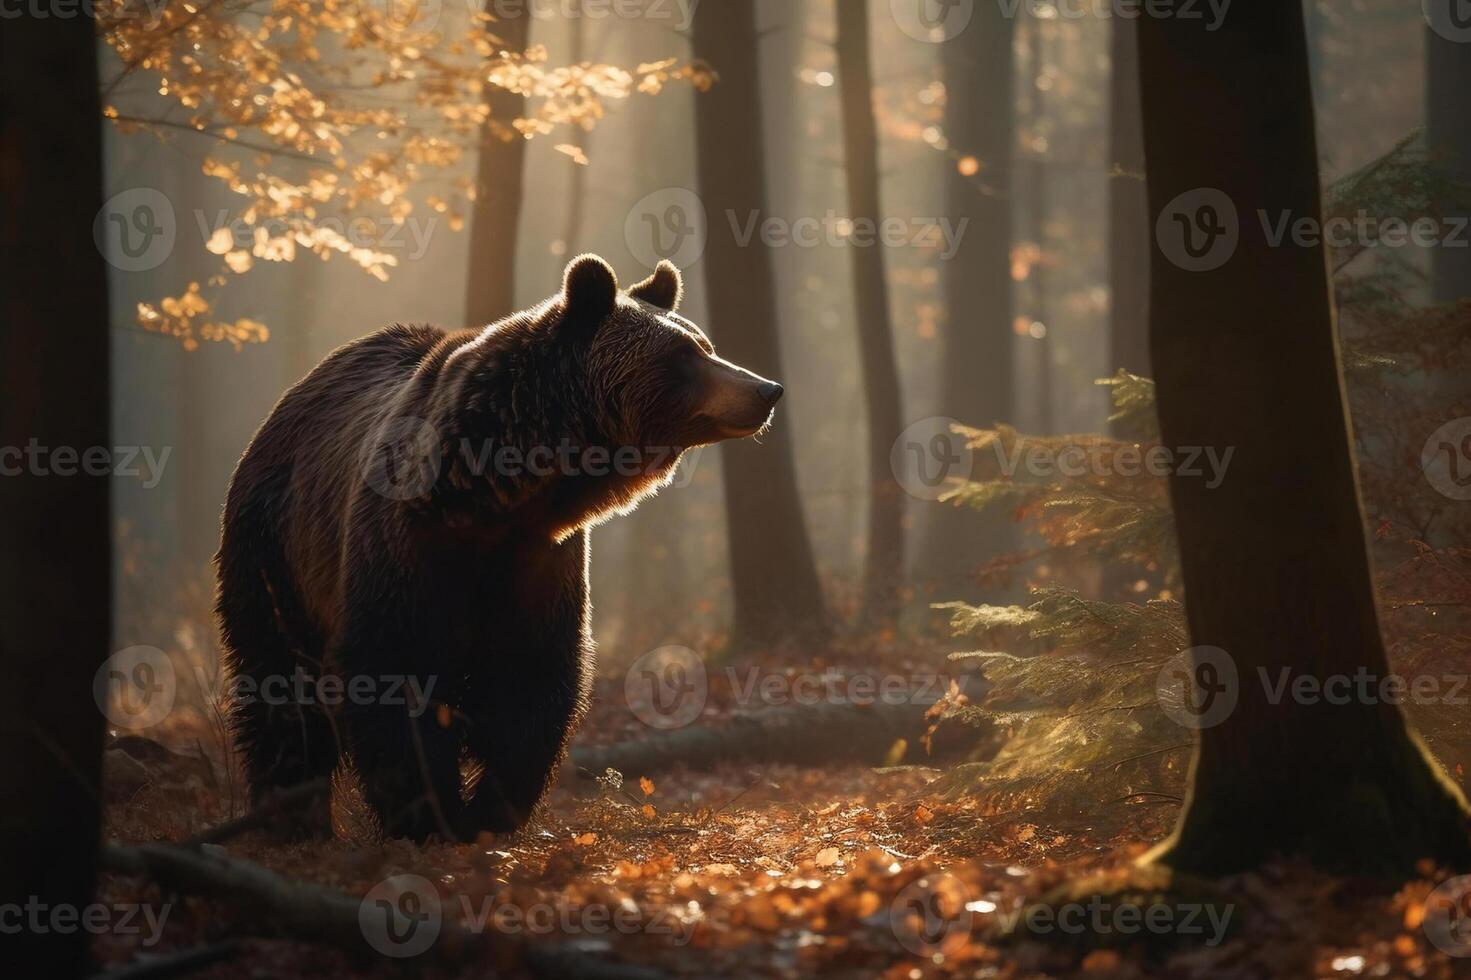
column 758, row 872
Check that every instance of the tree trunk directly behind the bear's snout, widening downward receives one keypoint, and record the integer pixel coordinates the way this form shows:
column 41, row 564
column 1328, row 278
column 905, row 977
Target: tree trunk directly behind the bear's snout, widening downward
column 773, row 572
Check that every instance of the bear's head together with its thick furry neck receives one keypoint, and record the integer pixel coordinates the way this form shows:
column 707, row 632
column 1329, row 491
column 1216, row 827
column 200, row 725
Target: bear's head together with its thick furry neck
column 576, row 410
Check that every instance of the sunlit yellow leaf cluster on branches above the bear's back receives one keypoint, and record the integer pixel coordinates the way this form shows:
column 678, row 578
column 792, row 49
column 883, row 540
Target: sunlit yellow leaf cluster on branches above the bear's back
column 329, row 118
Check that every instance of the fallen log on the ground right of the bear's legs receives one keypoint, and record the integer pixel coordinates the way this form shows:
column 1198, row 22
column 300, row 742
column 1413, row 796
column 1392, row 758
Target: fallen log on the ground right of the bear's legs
column 808, row 735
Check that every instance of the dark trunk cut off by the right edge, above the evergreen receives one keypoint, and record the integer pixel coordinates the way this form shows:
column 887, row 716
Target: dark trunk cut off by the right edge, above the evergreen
column 1448, row 138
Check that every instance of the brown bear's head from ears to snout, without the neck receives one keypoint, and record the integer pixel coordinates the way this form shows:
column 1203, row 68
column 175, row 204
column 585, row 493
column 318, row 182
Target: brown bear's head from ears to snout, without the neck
column 654, row 374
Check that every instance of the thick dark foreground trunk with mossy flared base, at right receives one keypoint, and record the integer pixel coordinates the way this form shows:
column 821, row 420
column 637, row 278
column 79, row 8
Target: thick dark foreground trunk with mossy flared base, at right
column 1275, row 560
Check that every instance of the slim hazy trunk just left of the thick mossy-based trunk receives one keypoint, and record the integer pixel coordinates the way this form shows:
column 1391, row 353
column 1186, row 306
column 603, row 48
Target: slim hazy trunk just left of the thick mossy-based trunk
column 1128, row 213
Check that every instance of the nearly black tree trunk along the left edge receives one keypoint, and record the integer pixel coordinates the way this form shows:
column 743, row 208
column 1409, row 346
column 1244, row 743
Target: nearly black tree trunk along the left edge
column 57, row 563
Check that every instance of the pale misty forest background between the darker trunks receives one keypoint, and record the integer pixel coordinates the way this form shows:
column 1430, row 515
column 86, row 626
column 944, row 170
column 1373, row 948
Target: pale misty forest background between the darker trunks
column 1041, row 226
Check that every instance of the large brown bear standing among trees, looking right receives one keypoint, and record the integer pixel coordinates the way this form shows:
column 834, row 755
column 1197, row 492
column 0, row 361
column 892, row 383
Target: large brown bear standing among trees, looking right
column 402, row 576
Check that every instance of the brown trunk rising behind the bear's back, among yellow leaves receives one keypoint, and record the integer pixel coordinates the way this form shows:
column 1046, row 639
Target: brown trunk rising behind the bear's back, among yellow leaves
column 492, row 283
